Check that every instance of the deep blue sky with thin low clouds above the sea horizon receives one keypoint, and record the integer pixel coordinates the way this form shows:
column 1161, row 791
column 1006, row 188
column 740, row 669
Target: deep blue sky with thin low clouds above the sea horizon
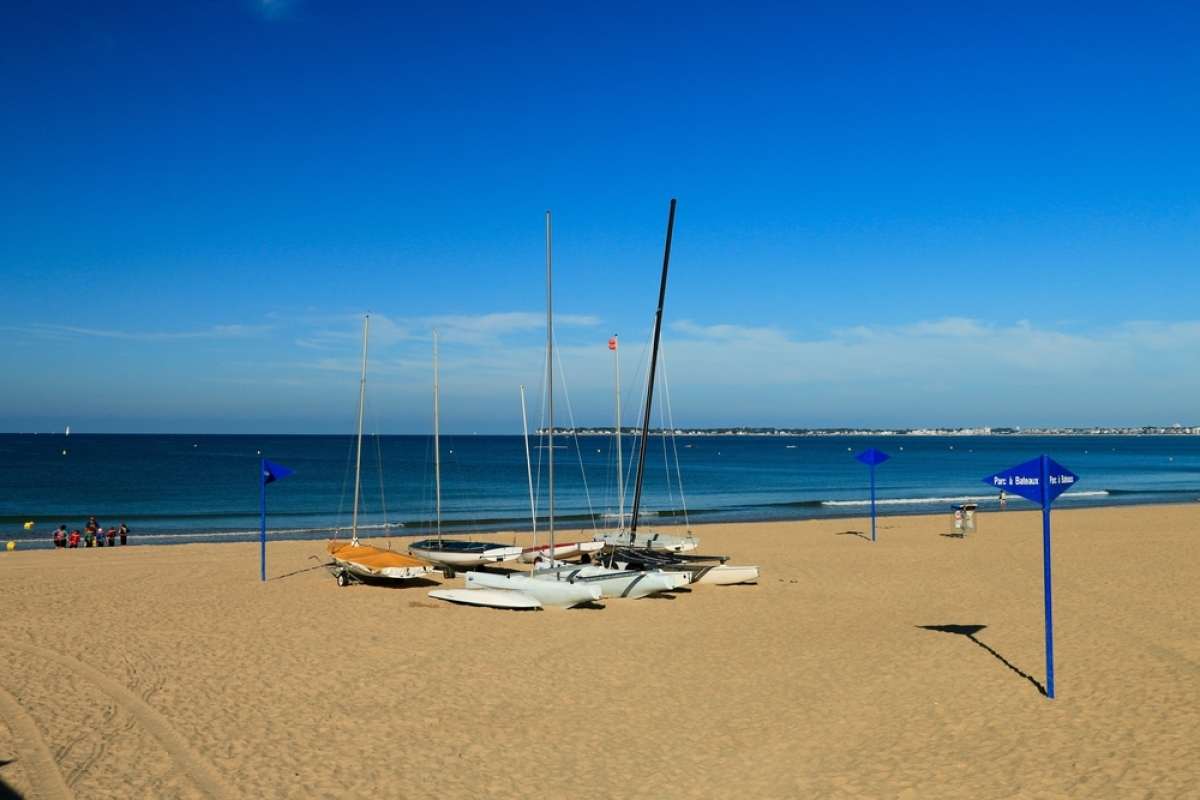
column 890, row 215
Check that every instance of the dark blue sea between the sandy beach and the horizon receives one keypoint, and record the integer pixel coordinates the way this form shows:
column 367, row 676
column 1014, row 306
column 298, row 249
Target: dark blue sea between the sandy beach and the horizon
column 187, row 489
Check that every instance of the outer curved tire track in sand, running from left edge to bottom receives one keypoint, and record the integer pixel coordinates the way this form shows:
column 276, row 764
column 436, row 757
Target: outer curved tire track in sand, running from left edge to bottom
column 195, row 766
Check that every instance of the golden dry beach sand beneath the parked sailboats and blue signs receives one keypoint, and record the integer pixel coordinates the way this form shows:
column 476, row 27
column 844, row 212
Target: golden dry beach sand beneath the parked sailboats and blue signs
column 164, row 672
